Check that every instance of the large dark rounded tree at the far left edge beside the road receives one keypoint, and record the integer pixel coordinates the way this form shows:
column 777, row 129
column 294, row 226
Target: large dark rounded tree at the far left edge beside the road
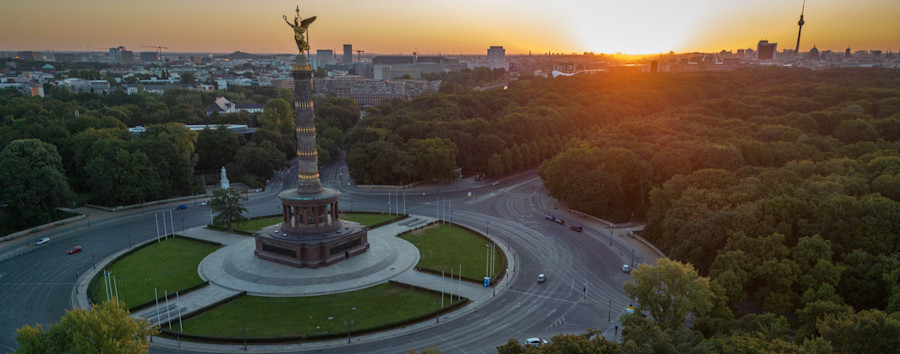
column 32, row 182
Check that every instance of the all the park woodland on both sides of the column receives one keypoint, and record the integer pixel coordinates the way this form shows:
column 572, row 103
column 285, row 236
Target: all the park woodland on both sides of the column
column 779, row 185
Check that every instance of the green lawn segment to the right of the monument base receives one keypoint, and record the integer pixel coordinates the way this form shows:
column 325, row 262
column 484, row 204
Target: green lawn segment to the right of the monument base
column 442, row 247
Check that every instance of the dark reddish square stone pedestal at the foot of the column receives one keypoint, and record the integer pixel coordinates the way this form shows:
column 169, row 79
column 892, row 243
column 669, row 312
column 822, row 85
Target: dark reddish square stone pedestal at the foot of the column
column 311, row 251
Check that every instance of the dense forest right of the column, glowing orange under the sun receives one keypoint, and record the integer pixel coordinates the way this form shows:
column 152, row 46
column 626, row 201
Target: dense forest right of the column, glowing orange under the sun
column 780, row 185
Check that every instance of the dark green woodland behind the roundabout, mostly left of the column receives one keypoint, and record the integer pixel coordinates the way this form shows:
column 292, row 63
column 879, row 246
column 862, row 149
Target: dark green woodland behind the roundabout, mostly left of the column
column 78, row 144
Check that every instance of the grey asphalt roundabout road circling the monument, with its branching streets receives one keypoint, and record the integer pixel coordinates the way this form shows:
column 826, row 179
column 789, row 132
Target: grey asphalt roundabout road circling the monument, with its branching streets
column 583, row 277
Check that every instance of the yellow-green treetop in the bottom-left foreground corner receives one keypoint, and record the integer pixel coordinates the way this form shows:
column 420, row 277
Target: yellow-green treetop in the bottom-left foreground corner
column 107, row 328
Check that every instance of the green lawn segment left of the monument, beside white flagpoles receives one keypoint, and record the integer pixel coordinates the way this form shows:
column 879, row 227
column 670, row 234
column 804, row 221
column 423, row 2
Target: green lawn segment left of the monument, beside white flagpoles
column 169, row 265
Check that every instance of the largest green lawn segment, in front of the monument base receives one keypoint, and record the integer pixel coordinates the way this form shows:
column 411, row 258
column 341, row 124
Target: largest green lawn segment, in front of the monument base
column 267, row 317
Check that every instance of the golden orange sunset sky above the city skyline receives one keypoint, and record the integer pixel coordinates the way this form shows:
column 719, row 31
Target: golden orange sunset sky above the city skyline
column 448, row 27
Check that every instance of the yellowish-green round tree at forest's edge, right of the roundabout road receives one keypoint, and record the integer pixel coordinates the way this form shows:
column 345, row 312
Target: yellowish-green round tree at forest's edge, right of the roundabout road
column 669, row 291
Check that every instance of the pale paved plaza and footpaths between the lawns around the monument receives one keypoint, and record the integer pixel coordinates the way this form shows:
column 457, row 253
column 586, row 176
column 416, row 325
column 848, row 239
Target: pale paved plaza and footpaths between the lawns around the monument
column 355, row 273
